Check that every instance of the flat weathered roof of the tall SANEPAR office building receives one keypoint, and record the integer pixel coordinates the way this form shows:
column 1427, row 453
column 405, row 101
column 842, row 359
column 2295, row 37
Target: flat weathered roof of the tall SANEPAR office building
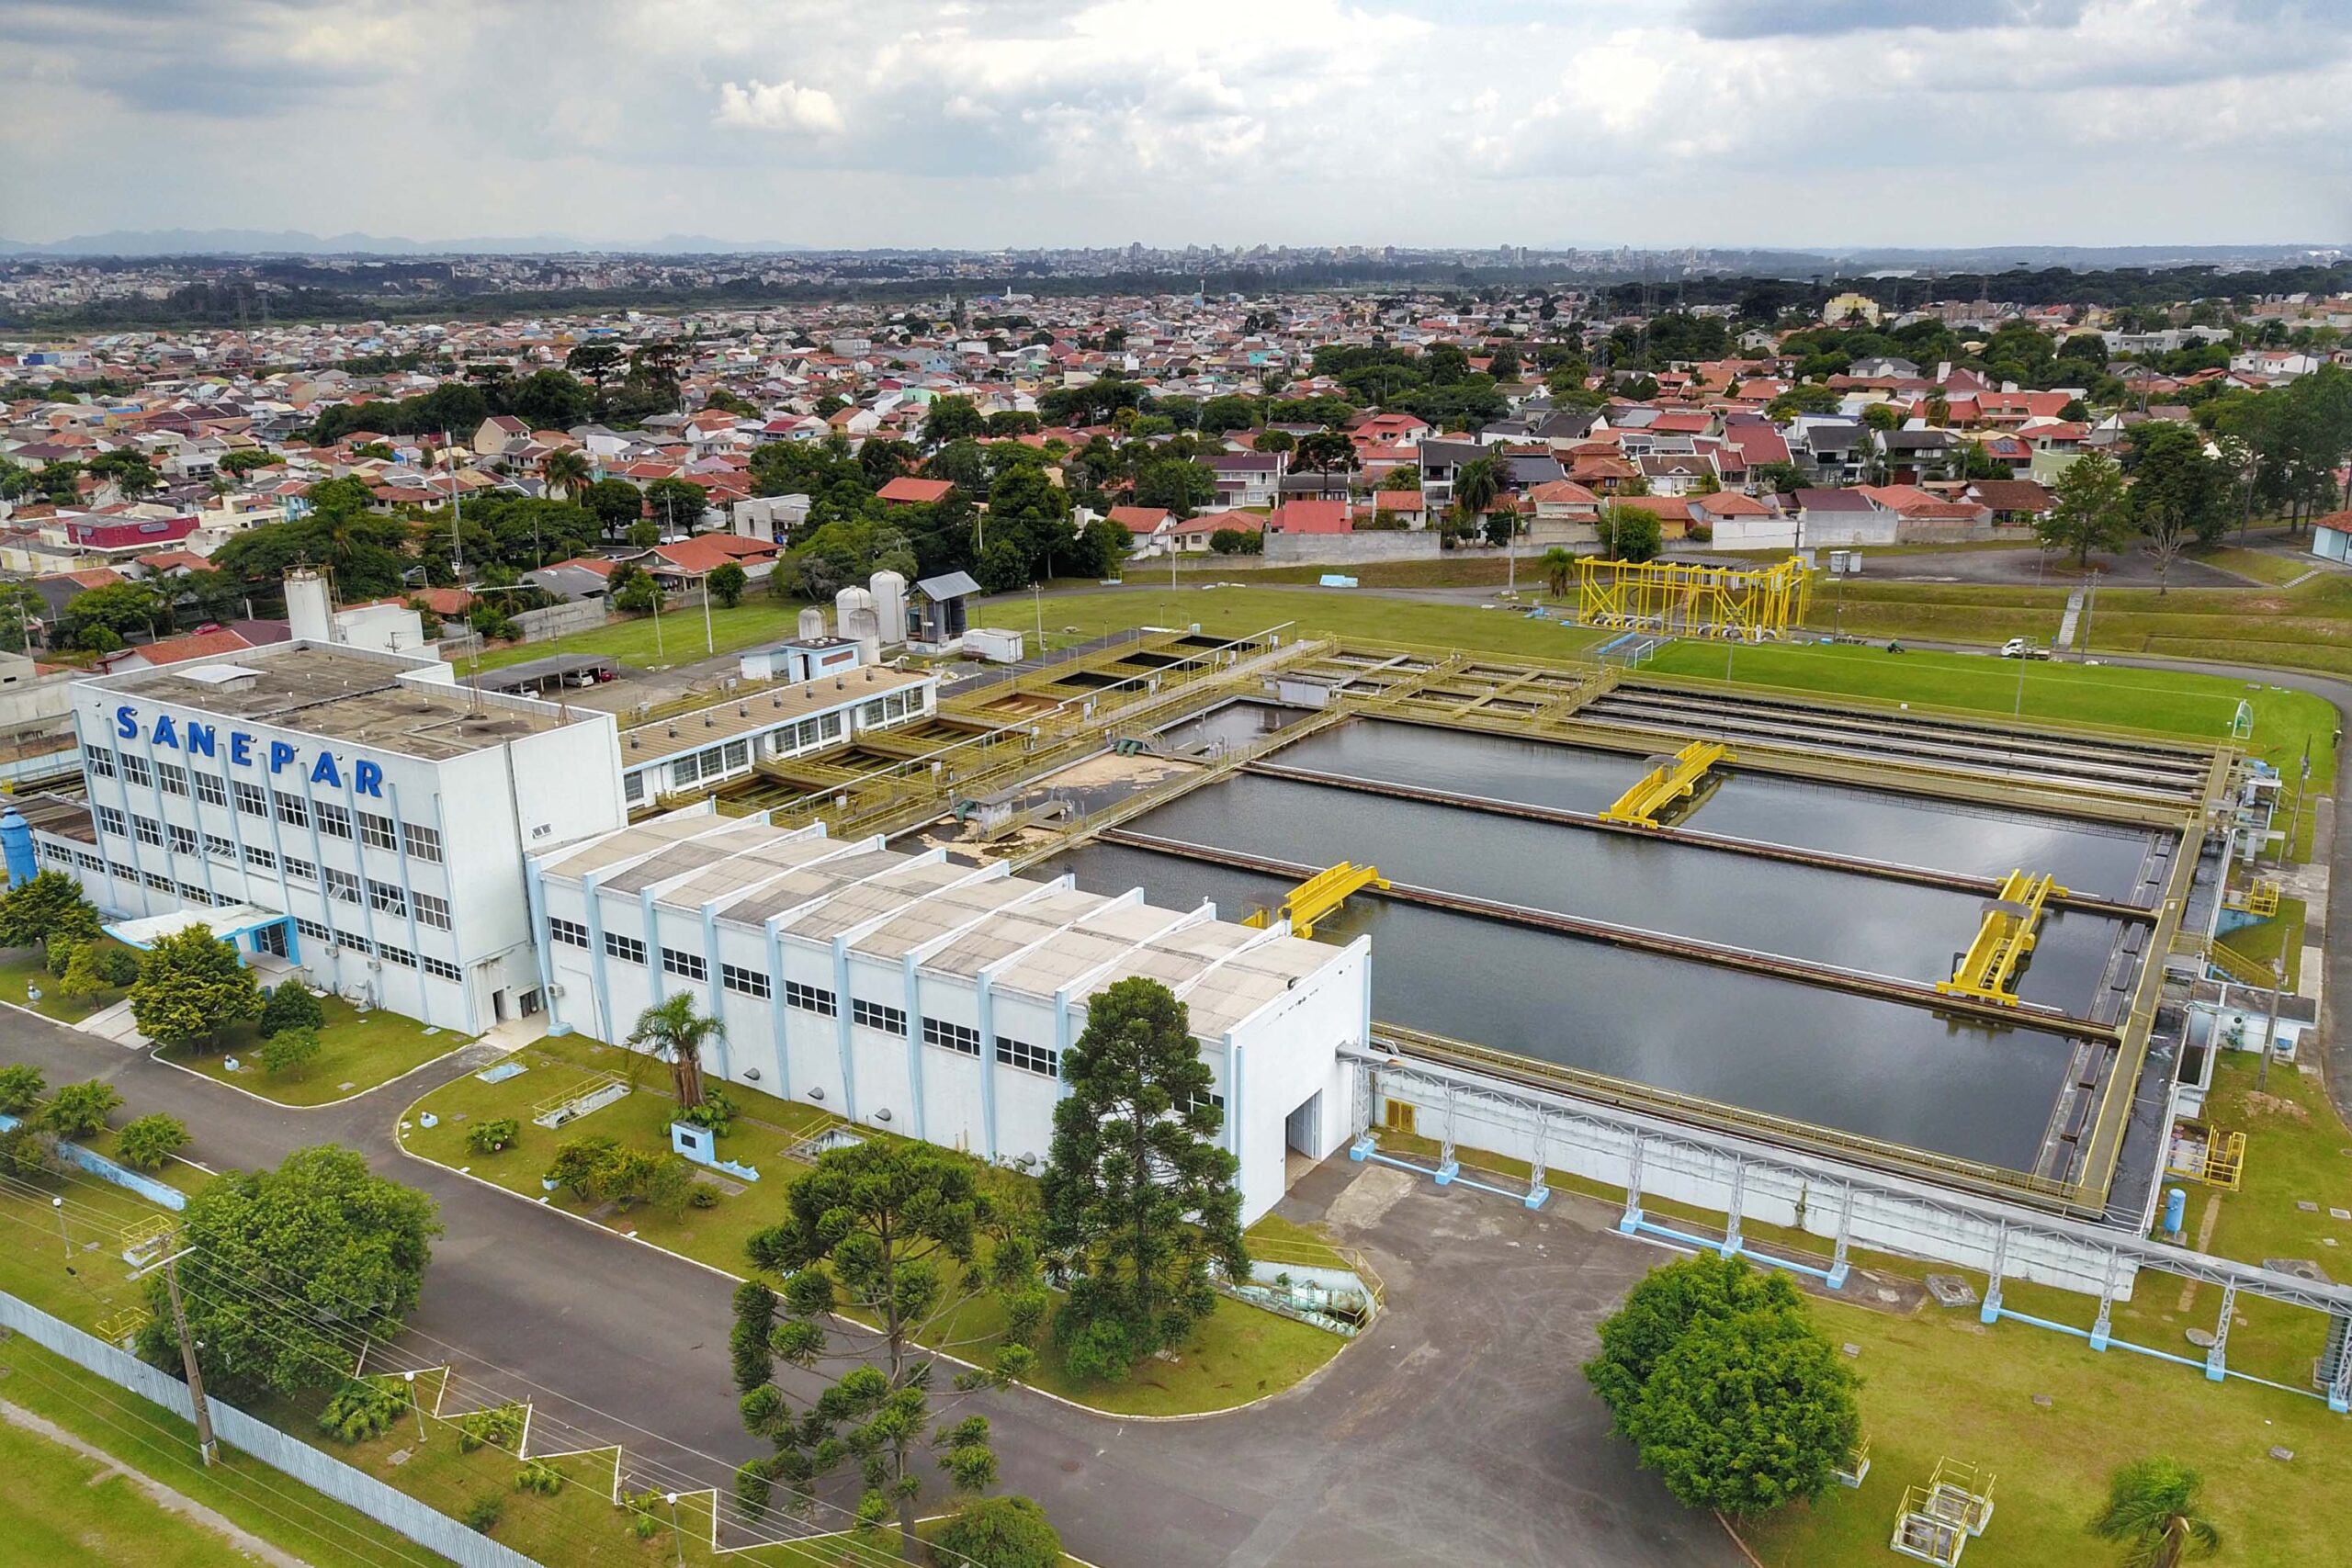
column 340, row 695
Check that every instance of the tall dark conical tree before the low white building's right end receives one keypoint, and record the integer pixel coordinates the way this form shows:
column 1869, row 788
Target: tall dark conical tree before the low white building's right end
column 1140, row 1200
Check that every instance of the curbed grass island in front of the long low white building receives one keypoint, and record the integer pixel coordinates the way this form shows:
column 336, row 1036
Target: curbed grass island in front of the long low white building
column 1236, row 1355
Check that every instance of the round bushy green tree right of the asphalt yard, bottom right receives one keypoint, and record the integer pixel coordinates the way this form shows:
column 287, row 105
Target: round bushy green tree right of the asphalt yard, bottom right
column 1725, row 1386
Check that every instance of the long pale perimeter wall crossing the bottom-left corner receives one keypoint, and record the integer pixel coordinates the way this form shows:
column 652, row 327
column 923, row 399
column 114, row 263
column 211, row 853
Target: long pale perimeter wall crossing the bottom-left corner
column 286, row 1454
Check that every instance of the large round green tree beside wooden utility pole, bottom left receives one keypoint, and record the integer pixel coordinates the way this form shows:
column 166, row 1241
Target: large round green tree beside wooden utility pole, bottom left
column 290, row 1264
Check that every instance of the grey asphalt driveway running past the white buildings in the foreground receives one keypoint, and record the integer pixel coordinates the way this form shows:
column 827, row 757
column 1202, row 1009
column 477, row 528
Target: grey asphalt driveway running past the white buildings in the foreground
column 1462, row 1421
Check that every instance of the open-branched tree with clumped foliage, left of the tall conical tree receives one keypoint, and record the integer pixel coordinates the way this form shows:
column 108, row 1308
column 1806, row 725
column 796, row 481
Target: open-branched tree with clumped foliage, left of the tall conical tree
column 888, row 1235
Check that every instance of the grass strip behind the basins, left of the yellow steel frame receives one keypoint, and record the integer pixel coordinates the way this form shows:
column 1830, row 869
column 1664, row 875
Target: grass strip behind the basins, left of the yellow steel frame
column 1339, row 612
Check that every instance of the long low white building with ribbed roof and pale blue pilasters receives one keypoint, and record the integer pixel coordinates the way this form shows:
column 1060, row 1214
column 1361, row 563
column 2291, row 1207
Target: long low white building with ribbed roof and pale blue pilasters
column 933, row 998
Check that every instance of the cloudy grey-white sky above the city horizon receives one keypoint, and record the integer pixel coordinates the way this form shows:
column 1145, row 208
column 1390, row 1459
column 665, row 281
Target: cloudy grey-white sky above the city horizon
column 1187, row 121
